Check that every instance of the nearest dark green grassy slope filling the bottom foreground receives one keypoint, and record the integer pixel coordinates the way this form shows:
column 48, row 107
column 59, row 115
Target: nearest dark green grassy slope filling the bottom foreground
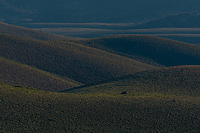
column 29, row 110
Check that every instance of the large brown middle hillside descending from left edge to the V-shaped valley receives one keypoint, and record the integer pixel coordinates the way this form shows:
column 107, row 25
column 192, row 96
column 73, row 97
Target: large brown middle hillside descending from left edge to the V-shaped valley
column 80, row 63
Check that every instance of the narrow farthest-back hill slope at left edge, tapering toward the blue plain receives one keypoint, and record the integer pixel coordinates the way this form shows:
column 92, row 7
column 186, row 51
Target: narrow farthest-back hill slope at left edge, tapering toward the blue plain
column 29, row 33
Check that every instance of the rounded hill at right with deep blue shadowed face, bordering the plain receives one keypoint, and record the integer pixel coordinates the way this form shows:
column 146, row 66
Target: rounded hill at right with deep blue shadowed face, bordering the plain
column 163, row 51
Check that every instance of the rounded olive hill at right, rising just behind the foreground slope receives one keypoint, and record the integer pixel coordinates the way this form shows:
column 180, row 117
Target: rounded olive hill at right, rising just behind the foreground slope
column 177, row 80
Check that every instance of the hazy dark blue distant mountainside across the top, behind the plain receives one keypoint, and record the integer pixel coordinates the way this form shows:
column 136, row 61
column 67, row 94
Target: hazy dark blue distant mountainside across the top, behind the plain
column 79, row 11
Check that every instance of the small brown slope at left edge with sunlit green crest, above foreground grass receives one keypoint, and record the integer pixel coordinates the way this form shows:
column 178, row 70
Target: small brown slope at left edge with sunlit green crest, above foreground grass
column 18, row 74
